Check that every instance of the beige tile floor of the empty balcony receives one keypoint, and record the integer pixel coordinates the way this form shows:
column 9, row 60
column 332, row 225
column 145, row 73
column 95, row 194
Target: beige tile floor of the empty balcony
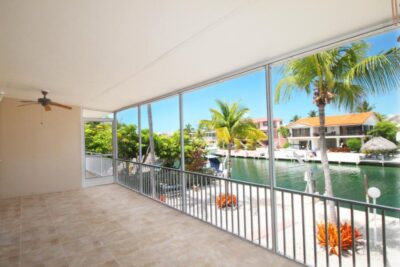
column 113, row 226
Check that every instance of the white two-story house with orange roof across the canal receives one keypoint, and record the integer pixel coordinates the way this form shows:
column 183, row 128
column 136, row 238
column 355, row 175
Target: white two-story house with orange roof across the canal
column 304, row 133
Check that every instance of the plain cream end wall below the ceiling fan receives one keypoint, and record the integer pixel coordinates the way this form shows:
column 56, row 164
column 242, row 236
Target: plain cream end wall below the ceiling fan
column 40, row 151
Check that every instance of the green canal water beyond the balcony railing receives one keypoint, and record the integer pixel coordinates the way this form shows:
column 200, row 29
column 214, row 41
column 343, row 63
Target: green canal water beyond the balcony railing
column 348, row 181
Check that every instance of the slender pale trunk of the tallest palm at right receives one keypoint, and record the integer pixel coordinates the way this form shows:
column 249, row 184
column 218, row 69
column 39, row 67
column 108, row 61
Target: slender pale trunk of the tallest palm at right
column 325, row 164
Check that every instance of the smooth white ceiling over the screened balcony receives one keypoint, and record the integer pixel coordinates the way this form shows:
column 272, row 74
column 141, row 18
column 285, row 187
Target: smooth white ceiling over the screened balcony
column 105, row 54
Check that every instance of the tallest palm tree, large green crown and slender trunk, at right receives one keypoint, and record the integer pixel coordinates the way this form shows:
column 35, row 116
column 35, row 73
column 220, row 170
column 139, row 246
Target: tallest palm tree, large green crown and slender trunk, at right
column 343, row 76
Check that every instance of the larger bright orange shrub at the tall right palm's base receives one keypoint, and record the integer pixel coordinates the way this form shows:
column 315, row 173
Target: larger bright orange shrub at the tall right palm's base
column 333, row 242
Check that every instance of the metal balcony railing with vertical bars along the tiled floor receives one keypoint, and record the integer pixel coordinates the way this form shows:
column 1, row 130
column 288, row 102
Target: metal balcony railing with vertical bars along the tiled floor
column 281, row 220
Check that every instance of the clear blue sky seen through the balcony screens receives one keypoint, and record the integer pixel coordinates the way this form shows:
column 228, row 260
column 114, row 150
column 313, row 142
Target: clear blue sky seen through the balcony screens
column 250, row 91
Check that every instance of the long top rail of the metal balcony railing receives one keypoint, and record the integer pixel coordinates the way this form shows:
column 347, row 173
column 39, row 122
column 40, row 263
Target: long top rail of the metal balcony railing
column 348, row 201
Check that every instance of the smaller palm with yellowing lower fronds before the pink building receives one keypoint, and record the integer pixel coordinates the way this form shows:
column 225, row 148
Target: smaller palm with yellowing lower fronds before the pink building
column 231, row 125
